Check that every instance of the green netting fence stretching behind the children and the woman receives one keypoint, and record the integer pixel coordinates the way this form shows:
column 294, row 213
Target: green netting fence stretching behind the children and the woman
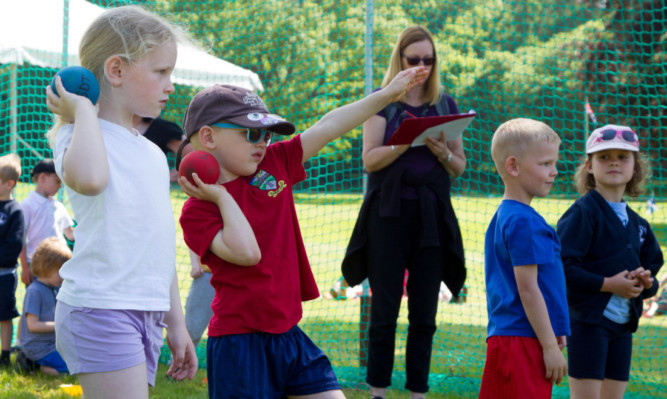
column 543, row 59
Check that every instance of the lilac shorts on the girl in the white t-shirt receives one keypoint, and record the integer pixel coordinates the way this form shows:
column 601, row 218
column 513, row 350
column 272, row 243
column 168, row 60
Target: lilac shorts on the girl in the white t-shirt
column 102, row 340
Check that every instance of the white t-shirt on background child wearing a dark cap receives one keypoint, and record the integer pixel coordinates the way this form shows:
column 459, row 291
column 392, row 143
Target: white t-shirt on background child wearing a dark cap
column 44, row 218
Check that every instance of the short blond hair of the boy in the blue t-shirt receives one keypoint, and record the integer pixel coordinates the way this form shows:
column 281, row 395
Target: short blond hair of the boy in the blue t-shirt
column 516, row 136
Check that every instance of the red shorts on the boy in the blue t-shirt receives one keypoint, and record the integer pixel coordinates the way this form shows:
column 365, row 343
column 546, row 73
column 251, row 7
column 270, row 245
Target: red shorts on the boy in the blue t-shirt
column 514, row 369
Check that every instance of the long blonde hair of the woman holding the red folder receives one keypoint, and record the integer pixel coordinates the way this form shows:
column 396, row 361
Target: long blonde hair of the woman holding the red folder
column 414, row 34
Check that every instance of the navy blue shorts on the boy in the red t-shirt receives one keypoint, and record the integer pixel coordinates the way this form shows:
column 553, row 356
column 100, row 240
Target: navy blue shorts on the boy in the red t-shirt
column 262, row 365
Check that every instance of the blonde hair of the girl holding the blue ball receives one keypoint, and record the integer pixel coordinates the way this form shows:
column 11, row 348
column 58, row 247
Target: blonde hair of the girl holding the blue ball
column 129, row 32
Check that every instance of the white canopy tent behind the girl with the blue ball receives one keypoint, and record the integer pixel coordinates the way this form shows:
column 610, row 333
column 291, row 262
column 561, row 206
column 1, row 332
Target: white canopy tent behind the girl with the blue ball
column 34, row 32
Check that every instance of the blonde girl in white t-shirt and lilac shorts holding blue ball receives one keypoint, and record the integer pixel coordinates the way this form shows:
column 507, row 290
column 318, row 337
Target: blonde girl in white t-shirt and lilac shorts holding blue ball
column 120, row 287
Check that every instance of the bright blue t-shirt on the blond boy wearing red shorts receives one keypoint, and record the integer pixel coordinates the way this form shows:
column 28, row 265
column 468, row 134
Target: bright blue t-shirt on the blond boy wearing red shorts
column 519, row 236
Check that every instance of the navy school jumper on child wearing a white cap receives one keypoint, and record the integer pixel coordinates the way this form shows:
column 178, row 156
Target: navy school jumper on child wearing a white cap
column 595, row 245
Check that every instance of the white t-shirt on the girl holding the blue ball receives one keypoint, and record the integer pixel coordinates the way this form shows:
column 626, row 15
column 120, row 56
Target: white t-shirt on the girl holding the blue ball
column 125, row 251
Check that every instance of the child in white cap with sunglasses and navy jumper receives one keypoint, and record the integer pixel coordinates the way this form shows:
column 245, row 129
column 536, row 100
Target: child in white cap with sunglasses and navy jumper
column 610, row 256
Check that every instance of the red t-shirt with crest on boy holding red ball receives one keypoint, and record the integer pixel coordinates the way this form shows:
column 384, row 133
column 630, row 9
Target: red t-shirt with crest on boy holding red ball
column 265, row 297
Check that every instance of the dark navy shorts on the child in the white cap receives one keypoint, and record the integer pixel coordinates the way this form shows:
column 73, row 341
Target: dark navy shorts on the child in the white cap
column 599, row 351
